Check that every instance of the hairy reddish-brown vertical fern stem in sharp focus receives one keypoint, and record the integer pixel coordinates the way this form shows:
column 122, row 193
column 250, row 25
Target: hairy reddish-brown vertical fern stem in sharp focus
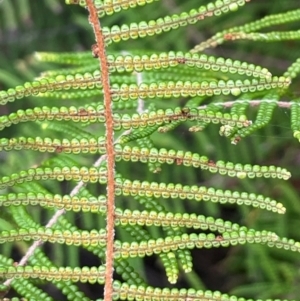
column 110, row 232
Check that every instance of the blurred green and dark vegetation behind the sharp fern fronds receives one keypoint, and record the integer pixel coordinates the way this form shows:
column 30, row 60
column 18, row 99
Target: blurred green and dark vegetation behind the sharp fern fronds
column 251, row 271
